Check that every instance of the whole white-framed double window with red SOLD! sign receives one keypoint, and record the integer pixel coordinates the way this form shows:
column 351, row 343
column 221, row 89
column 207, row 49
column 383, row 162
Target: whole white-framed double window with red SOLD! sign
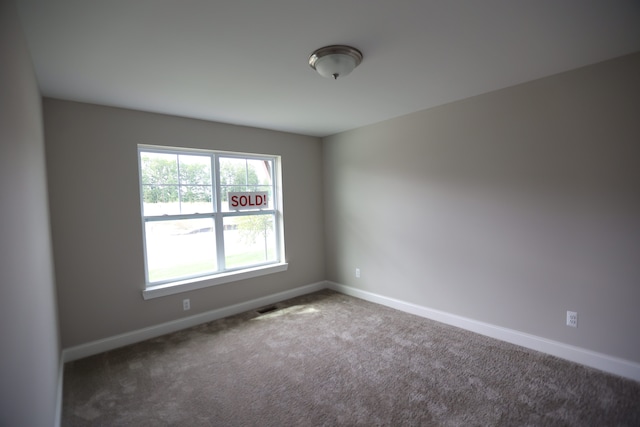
column 208, row 213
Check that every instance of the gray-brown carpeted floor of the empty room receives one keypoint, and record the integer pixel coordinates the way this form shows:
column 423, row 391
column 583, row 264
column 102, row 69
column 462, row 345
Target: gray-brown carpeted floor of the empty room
column 327, row 359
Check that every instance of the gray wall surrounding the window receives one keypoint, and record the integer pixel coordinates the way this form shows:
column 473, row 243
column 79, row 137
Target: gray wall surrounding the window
column 95, row 215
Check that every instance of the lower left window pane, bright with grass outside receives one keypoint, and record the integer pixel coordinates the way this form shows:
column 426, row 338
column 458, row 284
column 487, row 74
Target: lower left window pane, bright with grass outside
column 180, row 248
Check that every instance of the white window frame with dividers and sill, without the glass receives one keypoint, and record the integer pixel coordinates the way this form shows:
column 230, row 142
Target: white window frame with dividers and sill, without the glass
column 223, row 275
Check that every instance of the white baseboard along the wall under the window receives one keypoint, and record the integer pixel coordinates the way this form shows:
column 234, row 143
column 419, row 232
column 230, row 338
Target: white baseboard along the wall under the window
column 99, row 346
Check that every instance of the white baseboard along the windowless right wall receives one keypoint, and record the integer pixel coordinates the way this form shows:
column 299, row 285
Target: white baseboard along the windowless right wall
column 603, row 362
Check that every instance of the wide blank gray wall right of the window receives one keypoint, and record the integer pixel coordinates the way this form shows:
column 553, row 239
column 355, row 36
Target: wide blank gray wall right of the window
column 509, row 208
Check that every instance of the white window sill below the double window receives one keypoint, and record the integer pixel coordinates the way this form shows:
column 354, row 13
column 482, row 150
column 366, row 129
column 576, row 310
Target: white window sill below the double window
column 207, row 281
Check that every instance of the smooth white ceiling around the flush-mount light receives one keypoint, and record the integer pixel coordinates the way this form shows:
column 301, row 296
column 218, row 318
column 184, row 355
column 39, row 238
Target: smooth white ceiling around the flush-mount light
column 245, row 61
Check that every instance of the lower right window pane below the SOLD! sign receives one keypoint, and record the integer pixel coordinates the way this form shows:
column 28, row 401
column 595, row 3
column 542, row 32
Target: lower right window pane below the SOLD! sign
column 249, row 240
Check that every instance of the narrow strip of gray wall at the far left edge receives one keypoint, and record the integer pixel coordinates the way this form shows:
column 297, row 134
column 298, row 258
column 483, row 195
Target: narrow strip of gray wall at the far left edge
column 30, row 351
